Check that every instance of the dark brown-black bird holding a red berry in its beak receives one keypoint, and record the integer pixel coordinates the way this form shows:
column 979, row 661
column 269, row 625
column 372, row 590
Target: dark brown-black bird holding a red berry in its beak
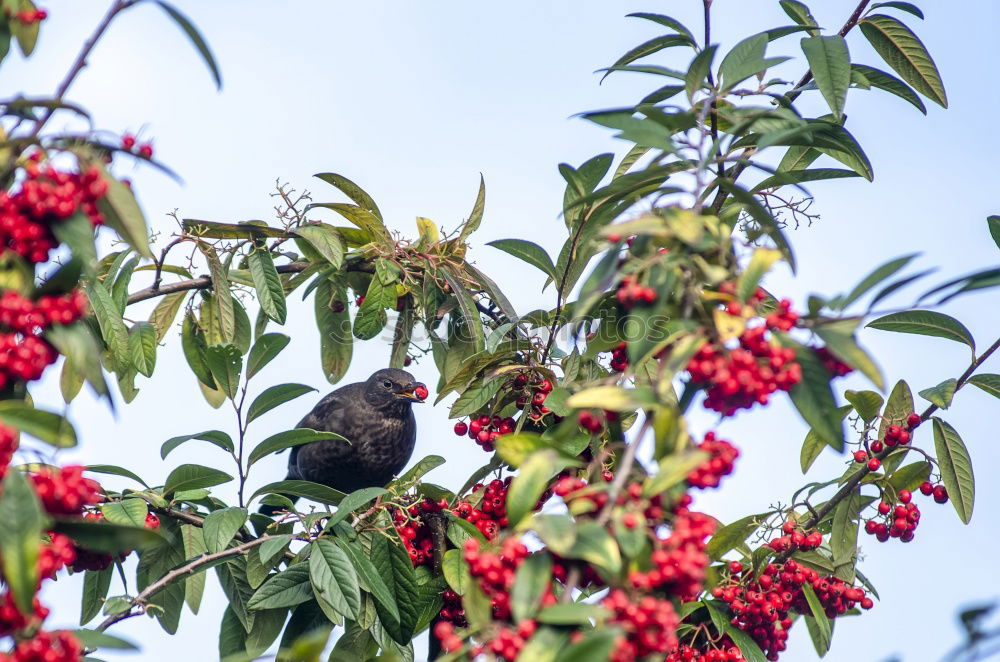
column 375, row 416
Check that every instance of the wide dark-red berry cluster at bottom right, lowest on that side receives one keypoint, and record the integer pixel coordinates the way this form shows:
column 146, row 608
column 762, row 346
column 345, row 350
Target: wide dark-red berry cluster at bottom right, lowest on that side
column 761, row 608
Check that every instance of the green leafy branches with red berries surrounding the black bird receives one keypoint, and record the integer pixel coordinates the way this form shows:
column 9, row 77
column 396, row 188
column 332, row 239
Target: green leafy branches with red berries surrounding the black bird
column 657, row 301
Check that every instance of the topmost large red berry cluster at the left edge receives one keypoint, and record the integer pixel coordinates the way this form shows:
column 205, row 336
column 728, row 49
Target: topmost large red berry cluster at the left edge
column 46, row 196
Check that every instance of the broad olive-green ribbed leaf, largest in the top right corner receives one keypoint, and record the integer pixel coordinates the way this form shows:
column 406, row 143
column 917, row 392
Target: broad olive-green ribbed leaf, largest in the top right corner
column 906, row 54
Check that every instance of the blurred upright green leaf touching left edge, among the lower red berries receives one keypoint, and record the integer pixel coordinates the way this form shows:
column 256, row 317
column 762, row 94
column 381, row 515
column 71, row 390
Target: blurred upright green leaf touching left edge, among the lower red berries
column 20, row 537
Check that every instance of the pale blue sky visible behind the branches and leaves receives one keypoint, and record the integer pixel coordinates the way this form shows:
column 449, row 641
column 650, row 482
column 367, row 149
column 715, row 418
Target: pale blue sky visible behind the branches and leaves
column 413, row 101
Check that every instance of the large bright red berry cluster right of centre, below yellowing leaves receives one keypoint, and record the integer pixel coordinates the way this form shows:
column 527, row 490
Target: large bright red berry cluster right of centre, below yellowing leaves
column 739, row 378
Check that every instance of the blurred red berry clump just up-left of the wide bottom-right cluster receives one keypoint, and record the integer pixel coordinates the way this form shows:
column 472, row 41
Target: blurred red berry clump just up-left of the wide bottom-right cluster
column 679, row 560
